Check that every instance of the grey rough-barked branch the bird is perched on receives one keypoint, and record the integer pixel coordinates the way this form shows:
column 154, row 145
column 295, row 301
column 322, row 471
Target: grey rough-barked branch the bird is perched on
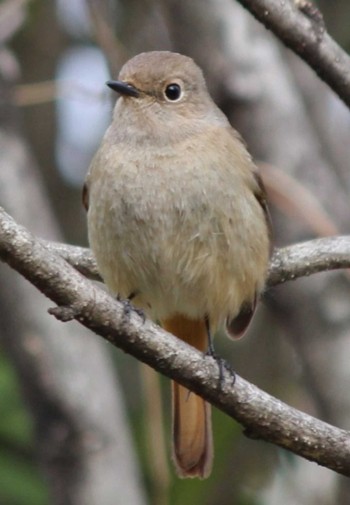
column 262, row 415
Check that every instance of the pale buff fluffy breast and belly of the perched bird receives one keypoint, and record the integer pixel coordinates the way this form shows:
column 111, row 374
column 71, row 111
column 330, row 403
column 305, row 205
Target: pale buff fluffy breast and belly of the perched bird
column 185, row 237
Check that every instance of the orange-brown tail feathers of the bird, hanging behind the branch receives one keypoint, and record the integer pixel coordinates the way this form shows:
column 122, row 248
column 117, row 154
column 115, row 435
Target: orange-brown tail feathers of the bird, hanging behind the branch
column 192, row 432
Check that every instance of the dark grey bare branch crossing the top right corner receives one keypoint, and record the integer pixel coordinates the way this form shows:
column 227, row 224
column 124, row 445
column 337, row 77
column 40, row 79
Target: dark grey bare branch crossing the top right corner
column 299, row 25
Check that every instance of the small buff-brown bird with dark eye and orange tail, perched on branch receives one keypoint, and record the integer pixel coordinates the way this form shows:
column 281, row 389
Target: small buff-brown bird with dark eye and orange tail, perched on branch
column 177, row 221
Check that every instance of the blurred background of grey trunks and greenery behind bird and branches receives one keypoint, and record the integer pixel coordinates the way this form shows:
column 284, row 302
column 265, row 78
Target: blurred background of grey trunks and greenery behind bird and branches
column 79, row 420
